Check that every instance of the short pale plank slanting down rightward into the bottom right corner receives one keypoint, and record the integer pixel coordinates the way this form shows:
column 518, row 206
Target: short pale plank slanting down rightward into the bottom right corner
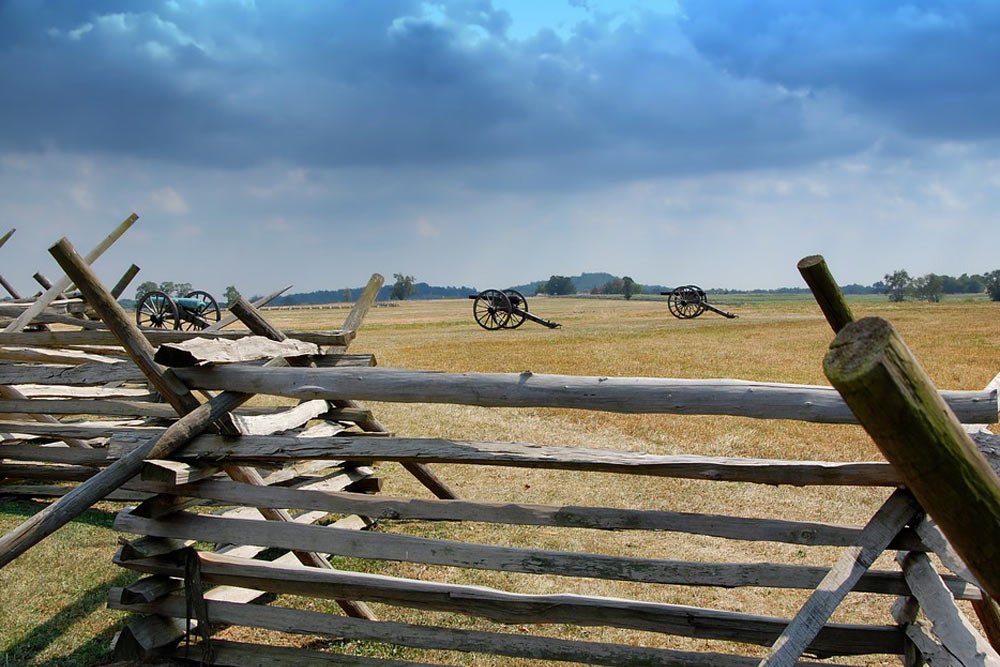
column 947, row 621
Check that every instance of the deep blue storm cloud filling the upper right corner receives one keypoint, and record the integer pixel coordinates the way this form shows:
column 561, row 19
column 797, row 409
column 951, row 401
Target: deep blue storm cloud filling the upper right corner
column 929, row 68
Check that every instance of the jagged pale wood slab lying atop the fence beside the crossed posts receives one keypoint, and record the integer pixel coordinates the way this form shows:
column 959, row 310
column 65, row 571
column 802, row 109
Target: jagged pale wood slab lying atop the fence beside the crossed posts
column 200, row 351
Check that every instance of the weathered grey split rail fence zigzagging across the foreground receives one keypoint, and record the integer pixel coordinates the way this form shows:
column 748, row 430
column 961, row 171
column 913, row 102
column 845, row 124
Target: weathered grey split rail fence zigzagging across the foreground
column 206, row 455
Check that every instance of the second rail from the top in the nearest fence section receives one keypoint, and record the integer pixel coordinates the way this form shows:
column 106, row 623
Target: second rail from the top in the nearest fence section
column 438, row 450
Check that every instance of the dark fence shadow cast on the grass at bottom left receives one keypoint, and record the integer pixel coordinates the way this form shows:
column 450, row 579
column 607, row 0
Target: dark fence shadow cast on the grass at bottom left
column 93, row 652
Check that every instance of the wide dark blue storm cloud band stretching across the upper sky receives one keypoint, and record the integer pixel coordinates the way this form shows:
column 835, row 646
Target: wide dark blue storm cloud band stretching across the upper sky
column 392, row 83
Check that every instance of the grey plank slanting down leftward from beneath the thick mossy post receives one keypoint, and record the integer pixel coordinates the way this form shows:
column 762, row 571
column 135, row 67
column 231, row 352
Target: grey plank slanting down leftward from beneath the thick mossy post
column 850, row 569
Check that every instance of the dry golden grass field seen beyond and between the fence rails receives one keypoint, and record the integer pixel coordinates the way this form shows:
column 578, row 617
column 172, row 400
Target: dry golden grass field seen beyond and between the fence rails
column 52, row 599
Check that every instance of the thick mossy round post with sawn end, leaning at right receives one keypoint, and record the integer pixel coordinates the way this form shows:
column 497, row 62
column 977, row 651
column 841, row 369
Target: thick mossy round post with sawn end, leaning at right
column 898, row 405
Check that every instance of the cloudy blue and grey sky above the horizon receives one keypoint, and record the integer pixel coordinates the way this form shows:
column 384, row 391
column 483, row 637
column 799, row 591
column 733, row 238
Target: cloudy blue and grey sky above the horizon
column 490, row 143
